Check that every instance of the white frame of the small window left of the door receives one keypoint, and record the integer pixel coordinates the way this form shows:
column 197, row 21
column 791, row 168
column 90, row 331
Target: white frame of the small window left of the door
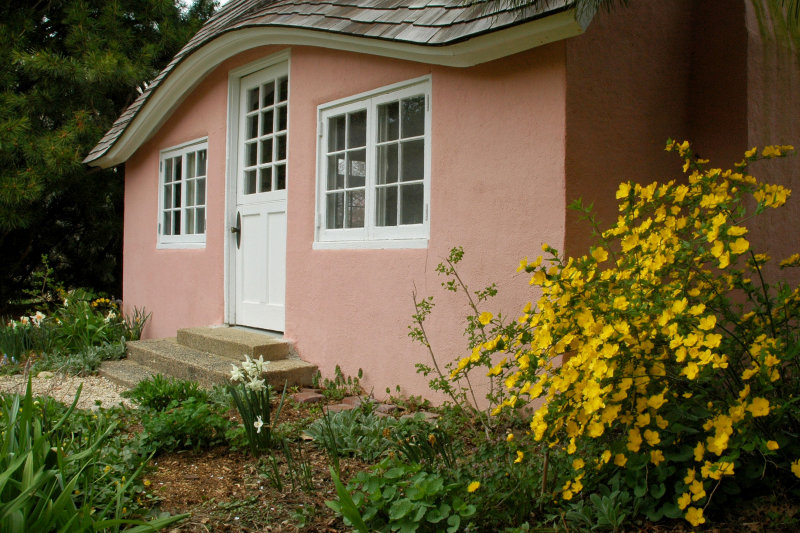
column 182, row 240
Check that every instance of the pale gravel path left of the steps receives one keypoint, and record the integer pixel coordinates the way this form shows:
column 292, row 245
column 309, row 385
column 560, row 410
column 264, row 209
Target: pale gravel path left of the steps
column 63, row 388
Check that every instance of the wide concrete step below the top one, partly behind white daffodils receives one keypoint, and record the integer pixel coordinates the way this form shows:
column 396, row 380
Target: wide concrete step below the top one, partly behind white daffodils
column 168, row 357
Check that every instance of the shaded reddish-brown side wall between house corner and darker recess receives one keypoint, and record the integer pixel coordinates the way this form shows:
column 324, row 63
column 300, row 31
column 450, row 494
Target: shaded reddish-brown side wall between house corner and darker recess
column 627, row 92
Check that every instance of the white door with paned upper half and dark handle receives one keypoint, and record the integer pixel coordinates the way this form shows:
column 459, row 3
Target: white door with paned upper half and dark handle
column 260, row 229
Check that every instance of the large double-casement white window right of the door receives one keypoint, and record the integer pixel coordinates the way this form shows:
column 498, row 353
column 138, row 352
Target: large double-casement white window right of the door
column 374, row 165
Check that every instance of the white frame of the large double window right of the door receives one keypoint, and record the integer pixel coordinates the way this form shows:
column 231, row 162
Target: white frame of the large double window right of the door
column 372, row 235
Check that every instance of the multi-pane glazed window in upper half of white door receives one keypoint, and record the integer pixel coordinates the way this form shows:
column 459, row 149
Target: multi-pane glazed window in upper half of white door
column 265, row 125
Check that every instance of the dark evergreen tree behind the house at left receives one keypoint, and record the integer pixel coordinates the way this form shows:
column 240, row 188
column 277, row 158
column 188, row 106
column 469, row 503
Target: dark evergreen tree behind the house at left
column 68, row 68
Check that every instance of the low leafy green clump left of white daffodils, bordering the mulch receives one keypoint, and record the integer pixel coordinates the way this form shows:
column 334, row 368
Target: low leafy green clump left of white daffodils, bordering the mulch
column 189, row 424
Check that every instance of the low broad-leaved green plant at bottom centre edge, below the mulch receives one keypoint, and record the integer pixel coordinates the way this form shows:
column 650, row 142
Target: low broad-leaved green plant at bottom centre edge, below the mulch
column 396, row 496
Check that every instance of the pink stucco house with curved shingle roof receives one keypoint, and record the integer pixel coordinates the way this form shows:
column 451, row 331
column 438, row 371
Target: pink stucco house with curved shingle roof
column 302, row 166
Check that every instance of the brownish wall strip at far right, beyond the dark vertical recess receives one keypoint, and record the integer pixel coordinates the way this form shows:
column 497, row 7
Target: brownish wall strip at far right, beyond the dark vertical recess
column 773, row 99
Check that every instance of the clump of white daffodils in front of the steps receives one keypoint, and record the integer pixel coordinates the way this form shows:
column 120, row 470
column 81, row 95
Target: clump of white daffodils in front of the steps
column 251, row 394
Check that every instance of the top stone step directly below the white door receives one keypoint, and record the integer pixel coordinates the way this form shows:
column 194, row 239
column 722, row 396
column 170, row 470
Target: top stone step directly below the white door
column 234, row 343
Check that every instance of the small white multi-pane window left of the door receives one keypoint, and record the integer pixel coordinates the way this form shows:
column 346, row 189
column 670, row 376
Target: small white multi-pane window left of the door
column 183, row 173
